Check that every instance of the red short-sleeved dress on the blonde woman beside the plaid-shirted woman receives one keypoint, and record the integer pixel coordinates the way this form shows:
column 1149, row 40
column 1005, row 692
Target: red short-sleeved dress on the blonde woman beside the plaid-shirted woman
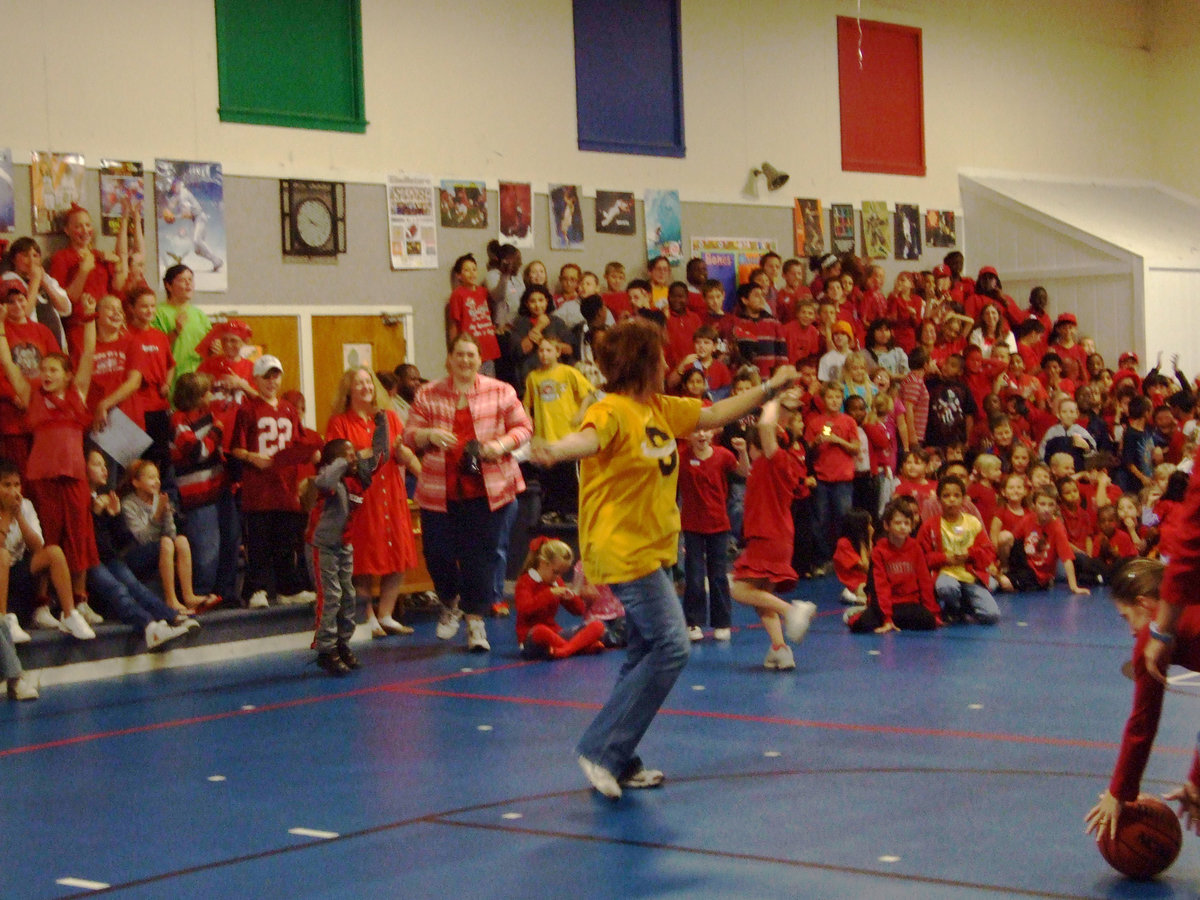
column 381, row 532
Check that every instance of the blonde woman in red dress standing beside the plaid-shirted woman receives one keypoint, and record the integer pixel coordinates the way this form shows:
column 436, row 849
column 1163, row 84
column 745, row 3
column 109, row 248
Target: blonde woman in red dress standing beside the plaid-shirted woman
column 381, row 532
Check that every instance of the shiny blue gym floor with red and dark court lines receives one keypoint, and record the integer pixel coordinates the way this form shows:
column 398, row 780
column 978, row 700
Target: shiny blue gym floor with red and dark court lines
column 950, row 765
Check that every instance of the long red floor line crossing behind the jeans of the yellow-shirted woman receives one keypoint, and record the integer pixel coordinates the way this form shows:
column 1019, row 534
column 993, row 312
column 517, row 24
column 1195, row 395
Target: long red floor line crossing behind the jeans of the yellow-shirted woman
column 1000, row 737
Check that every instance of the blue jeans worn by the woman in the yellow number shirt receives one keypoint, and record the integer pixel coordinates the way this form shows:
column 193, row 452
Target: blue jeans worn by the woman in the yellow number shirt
column 657, row 653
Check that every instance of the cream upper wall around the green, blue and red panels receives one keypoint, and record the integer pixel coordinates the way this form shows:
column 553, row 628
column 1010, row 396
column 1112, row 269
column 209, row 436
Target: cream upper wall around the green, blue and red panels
column 471, row 89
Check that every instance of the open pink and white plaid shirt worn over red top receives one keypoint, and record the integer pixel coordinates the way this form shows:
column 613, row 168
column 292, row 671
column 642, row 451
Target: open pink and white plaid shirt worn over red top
column 496, row 412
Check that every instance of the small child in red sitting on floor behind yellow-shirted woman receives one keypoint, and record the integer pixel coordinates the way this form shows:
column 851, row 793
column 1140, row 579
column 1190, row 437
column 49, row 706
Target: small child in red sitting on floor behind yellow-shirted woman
column 538, row 595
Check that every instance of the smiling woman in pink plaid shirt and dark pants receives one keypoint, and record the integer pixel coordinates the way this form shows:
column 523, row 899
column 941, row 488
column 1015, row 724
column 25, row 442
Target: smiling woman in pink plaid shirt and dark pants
column 467, row 425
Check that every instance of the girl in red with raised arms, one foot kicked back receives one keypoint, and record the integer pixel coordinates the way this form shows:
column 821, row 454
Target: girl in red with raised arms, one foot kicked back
column 766, row 565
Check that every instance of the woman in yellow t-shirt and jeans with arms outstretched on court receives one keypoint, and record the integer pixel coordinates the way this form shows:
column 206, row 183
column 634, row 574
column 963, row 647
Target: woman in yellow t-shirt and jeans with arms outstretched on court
column 629, row 531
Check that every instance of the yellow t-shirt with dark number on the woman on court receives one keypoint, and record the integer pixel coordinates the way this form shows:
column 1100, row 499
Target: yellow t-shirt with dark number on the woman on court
column 629, row 523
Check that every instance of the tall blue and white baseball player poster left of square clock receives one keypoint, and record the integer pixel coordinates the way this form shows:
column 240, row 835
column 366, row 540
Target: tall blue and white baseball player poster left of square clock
column 190, row 215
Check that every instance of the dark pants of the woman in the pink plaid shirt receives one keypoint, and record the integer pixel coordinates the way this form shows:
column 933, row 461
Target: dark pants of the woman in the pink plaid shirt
column 466, row 549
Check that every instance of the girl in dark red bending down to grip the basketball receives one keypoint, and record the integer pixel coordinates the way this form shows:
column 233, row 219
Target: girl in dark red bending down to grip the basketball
column 1136, row 592
